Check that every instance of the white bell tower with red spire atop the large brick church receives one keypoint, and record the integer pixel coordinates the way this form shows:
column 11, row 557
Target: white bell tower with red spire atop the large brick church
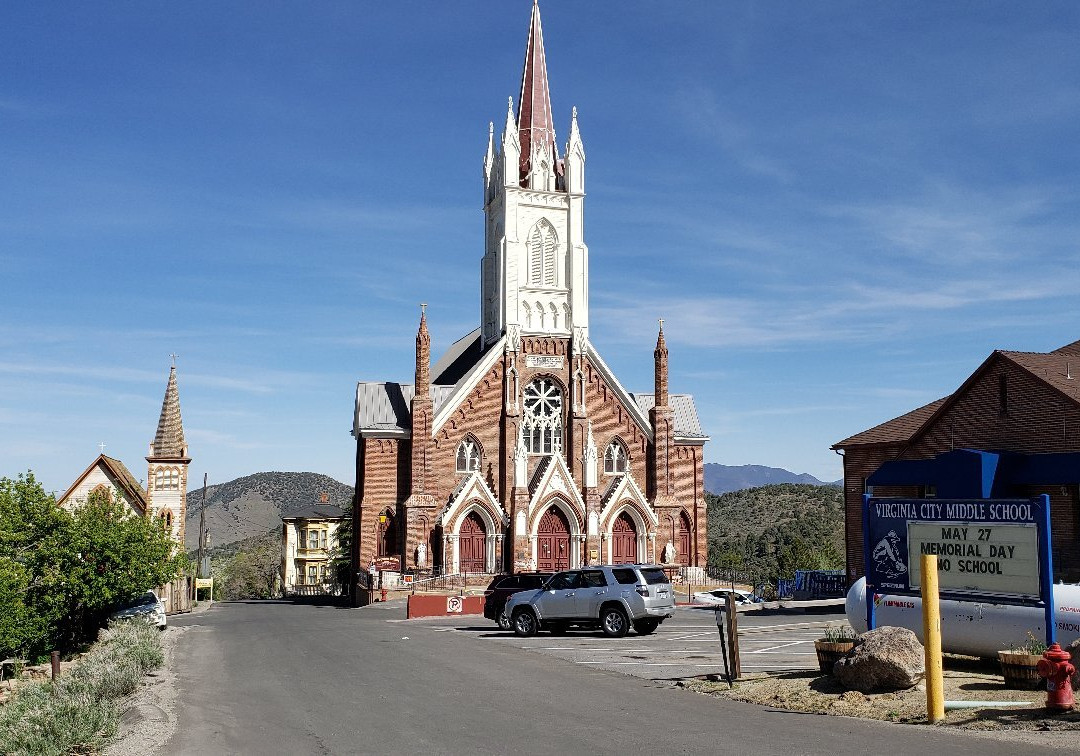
column 535, row 272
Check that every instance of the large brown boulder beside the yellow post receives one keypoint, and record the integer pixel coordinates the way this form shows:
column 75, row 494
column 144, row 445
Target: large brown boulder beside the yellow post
column 884, row 659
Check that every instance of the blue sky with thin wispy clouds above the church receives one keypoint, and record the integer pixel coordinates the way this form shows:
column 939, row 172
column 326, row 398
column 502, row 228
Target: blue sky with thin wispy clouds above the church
column 840, row 209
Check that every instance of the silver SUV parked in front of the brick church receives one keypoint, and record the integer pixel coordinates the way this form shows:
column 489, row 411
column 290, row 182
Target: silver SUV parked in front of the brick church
column 613, row 598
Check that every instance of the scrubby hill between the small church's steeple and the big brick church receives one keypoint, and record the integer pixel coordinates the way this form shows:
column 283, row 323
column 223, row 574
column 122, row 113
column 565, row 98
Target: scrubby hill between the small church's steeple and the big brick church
column 254, row 505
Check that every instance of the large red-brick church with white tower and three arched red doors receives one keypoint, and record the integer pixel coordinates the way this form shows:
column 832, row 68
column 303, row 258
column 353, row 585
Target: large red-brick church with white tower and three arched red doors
column 519, row 449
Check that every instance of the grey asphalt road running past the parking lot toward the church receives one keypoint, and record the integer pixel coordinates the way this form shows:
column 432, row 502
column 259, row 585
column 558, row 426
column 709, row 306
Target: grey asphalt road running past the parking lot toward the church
column 282, row 679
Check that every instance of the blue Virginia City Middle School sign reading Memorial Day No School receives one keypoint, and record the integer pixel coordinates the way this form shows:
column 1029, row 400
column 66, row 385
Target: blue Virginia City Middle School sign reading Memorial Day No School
column 988, row 549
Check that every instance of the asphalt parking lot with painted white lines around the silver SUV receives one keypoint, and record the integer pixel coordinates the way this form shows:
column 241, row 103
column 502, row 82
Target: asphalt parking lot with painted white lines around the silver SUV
column 687, row 645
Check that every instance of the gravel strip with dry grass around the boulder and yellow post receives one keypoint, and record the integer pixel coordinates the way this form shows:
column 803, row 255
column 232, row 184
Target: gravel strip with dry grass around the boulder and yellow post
column 965, row 680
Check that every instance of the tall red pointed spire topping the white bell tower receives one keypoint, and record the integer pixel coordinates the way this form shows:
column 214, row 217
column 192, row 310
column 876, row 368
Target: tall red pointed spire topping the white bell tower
column 539, row 165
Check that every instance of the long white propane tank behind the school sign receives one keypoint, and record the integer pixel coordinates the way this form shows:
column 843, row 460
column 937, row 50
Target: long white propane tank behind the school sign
column 974, row 628
